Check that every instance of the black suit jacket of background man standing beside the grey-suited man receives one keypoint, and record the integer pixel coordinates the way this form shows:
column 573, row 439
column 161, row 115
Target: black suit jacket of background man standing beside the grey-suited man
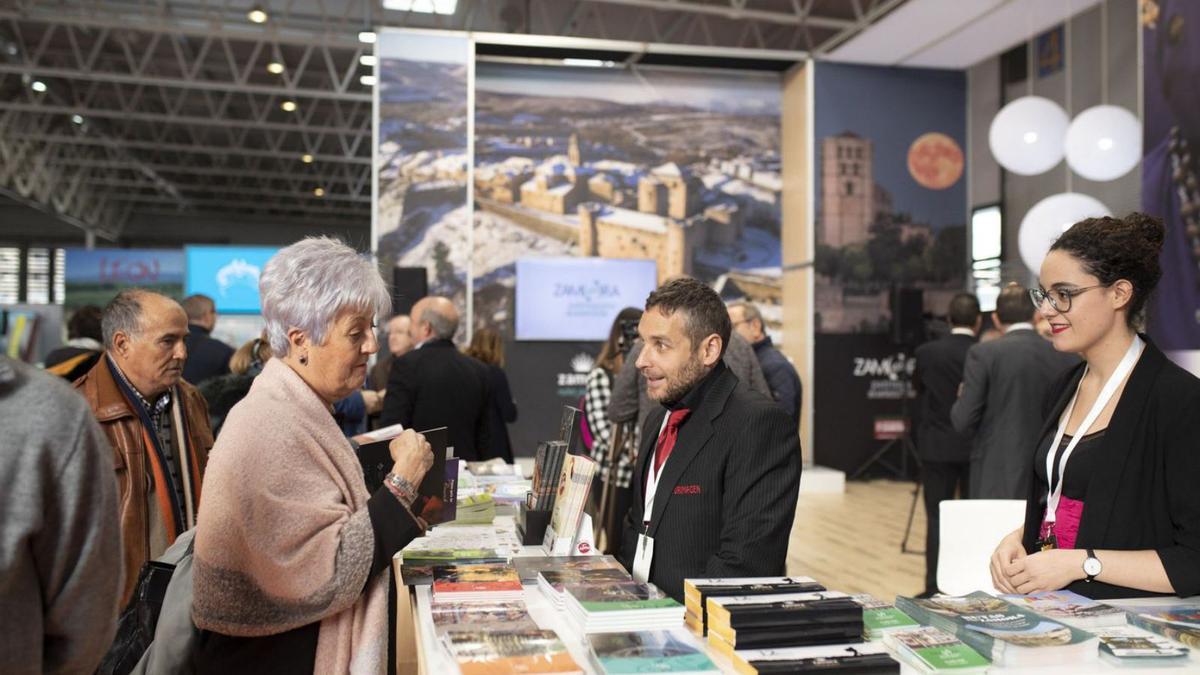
column 937, row 379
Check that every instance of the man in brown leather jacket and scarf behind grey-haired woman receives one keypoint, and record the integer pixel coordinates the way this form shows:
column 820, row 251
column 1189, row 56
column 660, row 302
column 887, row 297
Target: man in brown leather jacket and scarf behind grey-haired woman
column 157, row 423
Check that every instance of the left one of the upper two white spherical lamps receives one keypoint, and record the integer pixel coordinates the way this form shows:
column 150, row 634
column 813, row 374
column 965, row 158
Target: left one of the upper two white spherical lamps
column 1027, row 136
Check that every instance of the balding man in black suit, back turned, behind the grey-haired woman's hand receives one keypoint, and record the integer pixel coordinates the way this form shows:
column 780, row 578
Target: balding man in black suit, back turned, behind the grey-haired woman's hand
column 437, row 386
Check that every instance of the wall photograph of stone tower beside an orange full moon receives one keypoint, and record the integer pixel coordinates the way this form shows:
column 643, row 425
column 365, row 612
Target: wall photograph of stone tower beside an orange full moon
column 891, row 192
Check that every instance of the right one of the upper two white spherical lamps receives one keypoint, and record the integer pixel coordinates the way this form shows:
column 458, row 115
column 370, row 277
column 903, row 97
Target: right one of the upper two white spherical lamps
column 1103, row 144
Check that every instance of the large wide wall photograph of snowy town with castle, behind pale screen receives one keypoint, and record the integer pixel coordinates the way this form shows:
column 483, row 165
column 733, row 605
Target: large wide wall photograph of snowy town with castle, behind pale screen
column 682, row 169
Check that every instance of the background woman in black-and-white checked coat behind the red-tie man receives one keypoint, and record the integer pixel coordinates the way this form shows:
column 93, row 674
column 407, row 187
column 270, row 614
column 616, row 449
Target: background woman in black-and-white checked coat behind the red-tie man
column 603, row 431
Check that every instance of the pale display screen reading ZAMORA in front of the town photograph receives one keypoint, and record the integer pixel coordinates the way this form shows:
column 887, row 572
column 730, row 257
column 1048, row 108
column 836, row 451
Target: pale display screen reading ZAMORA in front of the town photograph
column 578, row 298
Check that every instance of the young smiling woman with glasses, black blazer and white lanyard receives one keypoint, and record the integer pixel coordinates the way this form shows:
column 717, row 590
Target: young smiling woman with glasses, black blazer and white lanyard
column 1113, row 509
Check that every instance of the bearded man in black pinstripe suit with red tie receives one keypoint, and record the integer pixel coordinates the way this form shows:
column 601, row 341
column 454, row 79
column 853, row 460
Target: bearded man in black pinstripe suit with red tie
column 719, row 468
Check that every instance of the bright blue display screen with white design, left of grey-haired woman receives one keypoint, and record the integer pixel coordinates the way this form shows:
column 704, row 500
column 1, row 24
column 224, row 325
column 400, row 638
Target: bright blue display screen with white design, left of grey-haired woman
column 229, row 276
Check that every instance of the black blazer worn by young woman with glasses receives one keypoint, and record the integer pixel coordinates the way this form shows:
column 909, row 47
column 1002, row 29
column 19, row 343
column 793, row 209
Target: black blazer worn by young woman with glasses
column 1143, row 494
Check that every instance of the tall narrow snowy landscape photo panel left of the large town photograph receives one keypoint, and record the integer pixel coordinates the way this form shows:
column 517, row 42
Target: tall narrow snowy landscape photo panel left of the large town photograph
column 422, row 217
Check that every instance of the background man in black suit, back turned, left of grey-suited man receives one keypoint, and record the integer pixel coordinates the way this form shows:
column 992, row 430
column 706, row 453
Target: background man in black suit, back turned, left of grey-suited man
column 945, row 453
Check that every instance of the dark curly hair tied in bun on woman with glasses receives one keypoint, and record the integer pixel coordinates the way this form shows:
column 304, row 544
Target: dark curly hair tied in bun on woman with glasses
column 1113, row 249
